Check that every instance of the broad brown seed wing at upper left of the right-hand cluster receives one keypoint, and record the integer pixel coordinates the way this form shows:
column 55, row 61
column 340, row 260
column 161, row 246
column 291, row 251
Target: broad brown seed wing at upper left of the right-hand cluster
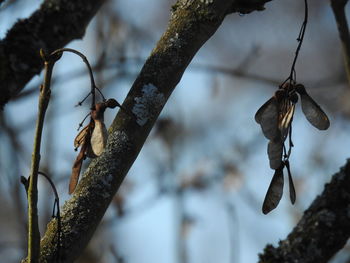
column 267, row 117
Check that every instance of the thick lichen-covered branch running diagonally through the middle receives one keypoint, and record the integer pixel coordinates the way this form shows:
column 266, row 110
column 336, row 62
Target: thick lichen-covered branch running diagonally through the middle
column 192, row 23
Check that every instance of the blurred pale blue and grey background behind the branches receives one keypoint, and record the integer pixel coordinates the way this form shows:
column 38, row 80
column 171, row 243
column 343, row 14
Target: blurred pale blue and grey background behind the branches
column 195, row 192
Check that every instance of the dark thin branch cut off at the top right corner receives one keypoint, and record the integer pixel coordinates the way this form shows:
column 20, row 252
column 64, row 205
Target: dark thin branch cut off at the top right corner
column 338, row 7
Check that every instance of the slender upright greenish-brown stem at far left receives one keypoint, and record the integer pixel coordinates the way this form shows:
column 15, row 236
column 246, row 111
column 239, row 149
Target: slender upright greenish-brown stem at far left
column 33, row 227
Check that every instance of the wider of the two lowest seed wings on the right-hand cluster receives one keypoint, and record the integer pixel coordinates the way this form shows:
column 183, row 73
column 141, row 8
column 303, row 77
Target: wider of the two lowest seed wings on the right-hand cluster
column 275, row 192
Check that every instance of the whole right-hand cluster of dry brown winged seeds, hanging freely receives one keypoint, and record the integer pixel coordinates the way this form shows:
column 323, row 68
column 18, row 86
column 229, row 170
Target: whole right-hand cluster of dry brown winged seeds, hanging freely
column 275, row 118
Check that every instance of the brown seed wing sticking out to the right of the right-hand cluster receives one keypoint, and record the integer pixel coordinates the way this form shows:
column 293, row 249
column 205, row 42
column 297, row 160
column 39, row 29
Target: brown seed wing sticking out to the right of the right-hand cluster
column 313, row 112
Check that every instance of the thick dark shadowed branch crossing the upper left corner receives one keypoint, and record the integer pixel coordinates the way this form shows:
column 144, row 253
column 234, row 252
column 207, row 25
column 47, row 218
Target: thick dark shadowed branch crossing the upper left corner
column 55, row 24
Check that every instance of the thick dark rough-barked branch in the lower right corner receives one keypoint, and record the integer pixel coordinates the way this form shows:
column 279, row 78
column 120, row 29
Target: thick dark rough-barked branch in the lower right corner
column 322, row 231
